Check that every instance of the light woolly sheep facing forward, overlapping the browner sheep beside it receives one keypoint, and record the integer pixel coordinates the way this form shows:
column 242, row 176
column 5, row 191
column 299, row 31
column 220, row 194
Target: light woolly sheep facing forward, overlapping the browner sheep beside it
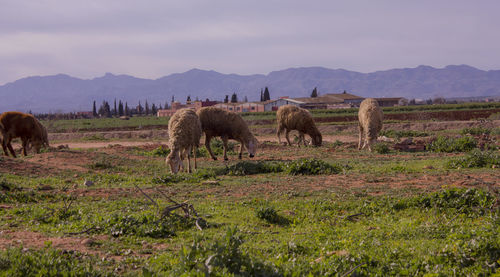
column 184, row 132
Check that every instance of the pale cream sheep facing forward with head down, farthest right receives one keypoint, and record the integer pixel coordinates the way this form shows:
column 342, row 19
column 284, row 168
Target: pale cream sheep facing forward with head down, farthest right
column 370, row 122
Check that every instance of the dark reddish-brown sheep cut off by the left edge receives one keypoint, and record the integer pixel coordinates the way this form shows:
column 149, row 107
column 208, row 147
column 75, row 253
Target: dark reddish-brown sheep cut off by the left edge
column 24, row 126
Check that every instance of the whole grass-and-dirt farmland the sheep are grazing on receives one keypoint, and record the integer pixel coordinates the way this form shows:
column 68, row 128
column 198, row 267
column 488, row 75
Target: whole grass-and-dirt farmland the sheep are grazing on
column 102, row 202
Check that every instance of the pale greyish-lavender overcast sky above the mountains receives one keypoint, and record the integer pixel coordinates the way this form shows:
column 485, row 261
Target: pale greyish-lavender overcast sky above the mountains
column 151, row 39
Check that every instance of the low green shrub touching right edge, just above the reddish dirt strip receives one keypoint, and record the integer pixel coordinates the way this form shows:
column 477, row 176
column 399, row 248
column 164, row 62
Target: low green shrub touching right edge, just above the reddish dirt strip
column 475, row 158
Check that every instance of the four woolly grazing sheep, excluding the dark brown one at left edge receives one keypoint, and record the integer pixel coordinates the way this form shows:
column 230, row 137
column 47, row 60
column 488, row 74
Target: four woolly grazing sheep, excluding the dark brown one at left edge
column 186, row 127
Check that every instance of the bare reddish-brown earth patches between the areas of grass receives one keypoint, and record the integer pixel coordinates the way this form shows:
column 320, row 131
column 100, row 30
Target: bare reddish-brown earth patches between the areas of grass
column 59, row 160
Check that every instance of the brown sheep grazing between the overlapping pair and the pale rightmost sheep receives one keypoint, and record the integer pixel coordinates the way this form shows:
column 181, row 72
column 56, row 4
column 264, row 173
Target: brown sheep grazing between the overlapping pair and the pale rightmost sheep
column 290, row 118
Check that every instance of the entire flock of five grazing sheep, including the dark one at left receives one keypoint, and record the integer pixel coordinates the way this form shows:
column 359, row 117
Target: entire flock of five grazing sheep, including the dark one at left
column 186, row 127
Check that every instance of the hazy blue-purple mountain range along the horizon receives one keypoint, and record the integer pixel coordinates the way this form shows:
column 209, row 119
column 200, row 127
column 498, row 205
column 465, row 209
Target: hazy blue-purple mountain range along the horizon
column 65, row 93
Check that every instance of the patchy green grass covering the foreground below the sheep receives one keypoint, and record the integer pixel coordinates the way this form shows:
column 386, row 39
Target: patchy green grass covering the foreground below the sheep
column 295, row 212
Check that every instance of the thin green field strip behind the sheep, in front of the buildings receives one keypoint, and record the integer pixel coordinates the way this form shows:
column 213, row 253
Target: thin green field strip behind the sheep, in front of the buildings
column 148, row 121
